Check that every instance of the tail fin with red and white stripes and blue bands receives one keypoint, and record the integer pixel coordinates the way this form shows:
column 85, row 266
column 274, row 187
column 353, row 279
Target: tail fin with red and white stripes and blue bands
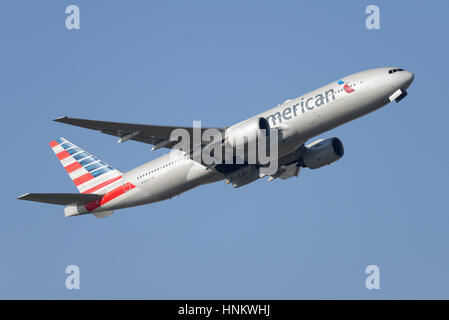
column 88, row 173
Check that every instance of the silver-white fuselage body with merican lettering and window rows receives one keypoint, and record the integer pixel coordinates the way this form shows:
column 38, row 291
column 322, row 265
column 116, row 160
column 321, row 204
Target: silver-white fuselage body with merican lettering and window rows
column 299, row 120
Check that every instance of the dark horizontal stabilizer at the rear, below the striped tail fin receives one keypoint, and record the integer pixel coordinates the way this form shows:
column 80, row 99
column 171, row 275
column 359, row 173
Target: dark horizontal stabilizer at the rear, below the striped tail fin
column 61, row 198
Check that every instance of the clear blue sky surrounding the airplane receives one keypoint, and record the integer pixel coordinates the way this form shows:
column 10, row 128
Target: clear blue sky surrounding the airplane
column 170, row 63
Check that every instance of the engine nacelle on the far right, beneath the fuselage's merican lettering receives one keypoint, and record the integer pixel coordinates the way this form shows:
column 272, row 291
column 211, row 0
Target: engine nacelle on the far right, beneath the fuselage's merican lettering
column 322, row 152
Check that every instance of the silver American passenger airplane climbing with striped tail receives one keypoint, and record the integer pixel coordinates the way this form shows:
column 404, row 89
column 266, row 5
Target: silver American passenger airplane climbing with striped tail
column 103, row 189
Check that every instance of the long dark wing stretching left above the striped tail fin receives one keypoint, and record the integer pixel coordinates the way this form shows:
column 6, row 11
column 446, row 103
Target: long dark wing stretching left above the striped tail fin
column 159, row 136
